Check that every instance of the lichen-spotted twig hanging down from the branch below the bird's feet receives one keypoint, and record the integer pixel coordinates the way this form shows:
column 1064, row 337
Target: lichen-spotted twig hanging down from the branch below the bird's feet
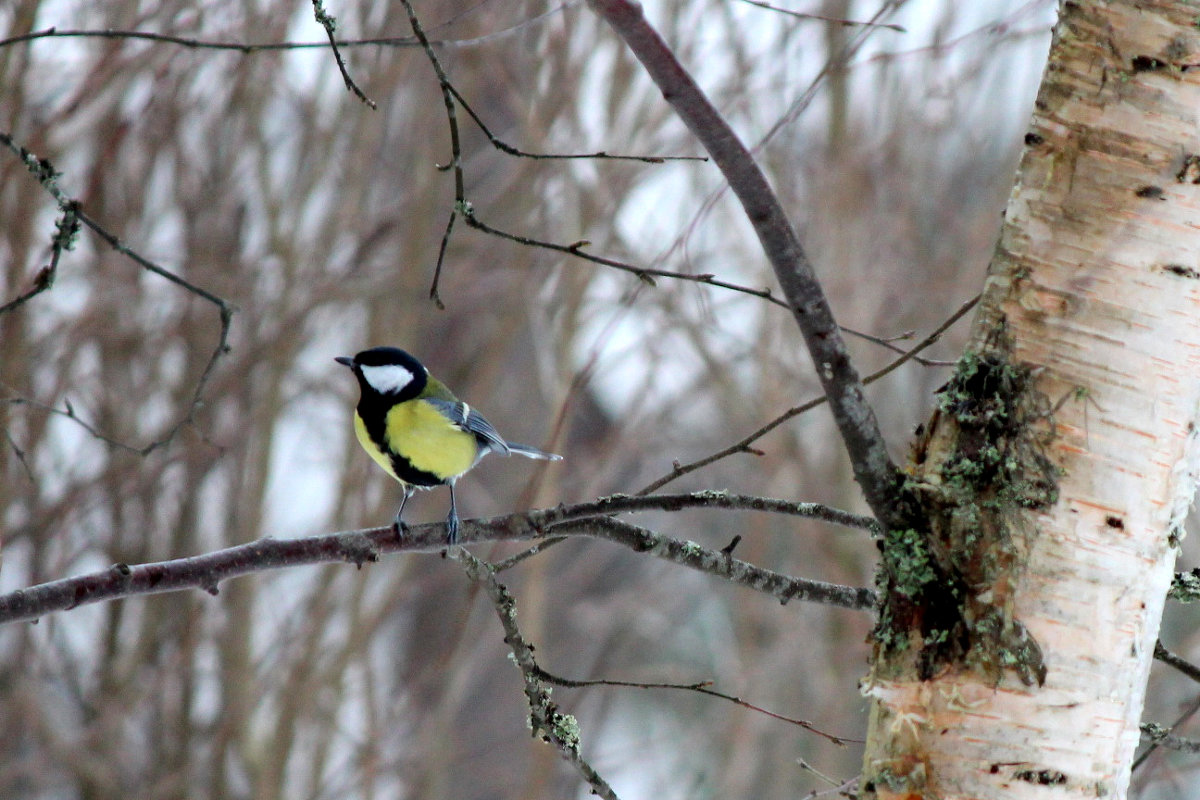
column 561, row 731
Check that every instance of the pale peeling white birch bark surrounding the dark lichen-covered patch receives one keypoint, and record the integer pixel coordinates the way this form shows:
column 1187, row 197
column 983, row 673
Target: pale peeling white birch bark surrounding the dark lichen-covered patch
column 1097, row 279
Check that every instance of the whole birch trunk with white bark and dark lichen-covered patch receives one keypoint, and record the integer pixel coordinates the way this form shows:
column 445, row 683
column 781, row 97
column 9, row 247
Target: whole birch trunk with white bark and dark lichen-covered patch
column 1018, row 631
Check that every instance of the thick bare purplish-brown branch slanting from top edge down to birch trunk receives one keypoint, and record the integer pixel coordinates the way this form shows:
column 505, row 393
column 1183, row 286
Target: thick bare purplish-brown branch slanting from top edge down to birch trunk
column 874, row 470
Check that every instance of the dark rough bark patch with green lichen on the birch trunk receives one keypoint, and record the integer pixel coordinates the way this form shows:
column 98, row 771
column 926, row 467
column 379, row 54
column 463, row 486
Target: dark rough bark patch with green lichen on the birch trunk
column 980, row 468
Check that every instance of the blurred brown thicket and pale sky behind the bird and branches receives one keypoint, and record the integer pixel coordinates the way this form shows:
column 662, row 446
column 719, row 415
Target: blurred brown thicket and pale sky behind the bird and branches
column 256, row 177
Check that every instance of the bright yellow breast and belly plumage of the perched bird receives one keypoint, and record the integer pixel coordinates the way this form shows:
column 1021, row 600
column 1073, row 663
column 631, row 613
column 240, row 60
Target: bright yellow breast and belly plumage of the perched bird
column 425, row 438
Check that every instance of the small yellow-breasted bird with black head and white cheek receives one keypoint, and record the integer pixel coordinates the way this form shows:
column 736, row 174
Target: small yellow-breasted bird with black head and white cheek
column 418, row 431
